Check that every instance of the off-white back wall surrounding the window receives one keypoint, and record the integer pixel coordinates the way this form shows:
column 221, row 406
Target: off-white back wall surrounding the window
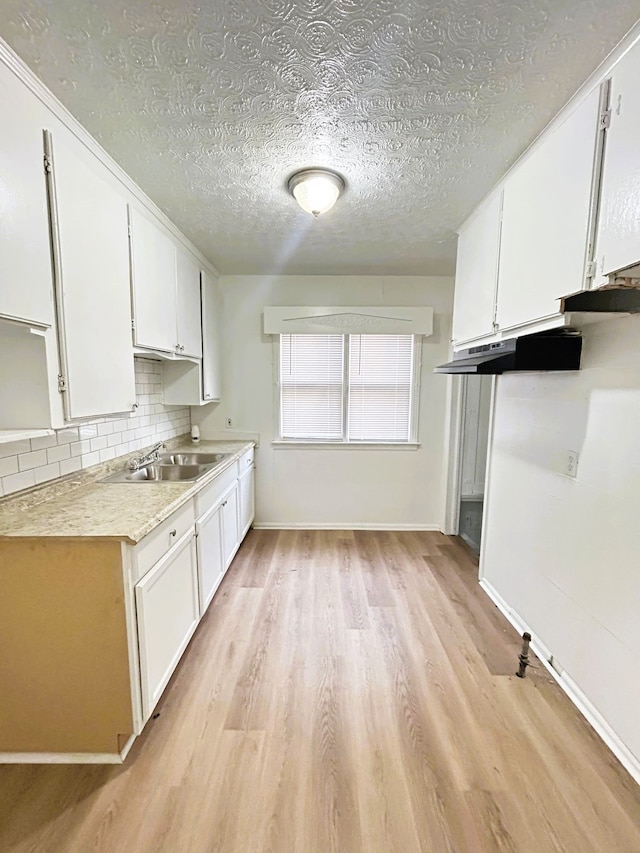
column 333, row 487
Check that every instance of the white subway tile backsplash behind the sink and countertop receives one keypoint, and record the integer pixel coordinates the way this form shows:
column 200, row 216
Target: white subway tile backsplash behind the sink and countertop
column 27, row 462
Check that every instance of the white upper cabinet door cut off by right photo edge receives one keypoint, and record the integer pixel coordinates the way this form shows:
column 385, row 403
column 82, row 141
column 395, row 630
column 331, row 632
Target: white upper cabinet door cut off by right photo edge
column 618, row 241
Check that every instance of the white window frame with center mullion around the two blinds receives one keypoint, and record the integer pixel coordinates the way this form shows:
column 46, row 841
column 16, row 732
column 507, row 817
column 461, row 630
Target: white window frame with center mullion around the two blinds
column 411, row 444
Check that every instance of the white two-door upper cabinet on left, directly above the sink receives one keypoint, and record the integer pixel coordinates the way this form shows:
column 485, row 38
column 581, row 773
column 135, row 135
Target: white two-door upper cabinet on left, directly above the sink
column 166, row 291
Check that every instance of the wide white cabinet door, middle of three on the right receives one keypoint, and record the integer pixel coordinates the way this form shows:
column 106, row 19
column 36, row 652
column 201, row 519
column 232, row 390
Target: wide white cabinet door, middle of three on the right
column 545, row 220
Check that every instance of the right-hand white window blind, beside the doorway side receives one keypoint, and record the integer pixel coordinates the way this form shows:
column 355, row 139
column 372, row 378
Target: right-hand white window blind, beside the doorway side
column 380, row 386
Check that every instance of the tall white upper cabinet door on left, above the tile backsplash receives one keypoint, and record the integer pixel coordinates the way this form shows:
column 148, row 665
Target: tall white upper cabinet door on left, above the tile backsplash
column 95, row 289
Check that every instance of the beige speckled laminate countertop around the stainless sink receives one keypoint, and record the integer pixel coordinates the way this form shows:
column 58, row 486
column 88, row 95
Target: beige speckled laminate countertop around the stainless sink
column 80, row 506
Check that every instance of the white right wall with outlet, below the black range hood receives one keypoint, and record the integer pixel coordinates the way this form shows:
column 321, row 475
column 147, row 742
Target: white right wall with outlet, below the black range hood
column 564, row 554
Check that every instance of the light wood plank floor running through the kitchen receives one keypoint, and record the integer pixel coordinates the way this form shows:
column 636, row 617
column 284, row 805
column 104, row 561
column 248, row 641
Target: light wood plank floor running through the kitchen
column 348, row 692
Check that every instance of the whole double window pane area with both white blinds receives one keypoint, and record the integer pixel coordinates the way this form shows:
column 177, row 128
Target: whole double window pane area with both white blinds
column 348, row 388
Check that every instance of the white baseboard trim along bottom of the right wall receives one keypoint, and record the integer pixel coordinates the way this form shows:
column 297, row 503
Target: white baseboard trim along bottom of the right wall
column 624, row 755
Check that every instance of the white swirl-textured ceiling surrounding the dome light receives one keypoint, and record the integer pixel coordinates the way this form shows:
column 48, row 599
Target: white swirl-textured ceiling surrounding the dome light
column 209, row 106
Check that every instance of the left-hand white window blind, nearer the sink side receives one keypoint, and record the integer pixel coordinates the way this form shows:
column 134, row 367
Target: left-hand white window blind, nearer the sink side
column 311, row 386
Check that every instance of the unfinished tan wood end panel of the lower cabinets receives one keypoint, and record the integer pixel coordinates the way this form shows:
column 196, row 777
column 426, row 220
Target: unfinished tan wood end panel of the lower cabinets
column 64, row 667
